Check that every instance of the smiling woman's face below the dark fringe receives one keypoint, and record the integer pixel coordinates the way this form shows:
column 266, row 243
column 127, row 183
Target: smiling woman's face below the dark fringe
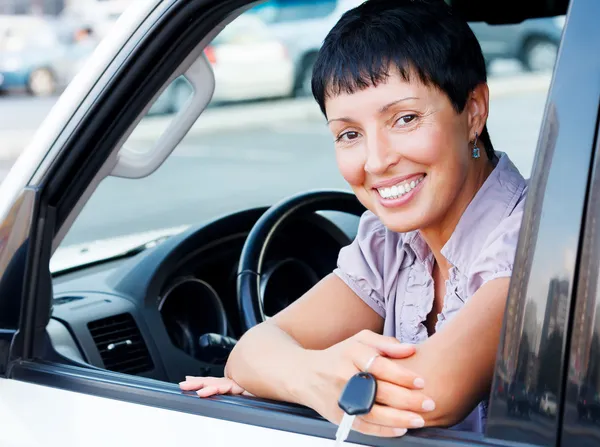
column 403, row 149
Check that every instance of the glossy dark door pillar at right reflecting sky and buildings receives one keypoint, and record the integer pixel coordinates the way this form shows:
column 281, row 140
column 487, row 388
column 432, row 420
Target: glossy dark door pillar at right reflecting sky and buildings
column 528, row 387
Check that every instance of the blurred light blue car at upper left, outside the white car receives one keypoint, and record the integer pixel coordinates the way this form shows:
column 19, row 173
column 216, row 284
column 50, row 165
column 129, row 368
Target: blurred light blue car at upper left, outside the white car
column 38, row 54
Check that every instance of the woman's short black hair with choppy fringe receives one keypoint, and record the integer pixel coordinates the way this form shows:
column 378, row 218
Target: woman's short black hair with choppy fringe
column 422, row 37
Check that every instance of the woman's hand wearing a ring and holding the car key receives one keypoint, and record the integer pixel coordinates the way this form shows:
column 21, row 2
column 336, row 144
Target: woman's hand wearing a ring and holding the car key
column 398, row 401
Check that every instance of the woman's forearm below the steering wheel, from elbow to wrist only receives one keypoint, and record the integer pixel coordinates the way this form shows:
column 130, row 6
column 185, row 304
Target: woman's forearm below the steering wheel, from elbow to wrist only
column 268, row 363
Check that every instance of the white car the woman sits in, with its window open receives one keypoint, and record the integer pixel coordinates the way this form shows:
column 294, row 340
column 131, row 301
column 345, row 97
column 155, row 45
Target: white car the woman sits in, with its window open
column 98, row 326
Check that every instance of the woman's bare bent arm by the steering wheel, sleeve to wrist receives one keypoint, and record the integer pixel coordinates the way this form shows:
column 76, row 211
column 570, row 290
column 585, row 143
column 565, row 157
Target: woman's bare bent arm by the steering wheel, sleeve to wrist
column 269, row 358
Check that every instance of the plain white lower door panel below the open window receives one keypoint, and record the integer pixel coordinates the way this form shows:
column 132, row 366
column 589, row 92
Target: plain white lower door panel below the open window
column 82, row 419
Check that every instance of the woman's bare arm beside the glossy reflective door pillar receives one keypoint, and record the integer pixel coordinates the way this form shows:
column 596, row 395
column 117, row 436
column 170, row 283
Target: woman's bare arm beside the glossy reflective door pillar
column 458, row 362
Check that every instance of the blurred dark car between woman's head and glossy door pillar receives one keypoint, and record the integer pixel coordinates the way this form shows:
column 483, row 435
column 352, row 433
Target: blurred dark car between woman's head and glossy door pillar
column 533, row 42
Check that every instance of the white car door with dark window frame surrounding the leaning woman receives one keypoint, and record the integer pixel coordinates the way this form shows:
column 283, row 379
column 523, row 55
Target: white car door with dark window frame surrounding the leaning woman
column 46, row 401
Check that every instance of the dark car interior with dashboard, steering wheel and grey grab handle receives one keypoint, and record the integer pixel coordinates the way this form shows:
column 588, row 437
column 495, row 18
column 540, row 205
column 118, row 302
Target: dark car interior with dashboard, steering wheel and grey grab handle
column 175, row 304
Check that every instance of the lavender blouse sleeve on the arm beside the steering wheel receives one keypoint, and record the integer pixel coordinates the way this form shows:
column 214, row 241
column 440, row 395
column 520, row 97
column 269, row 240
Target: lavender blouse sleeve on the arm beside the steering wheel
column 361, row 264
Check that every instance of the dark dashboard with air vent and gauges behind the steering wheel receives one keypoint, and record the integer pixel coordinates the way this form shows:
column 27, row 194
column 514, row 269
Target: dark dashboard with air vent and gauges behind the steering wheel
column 172, row 310
